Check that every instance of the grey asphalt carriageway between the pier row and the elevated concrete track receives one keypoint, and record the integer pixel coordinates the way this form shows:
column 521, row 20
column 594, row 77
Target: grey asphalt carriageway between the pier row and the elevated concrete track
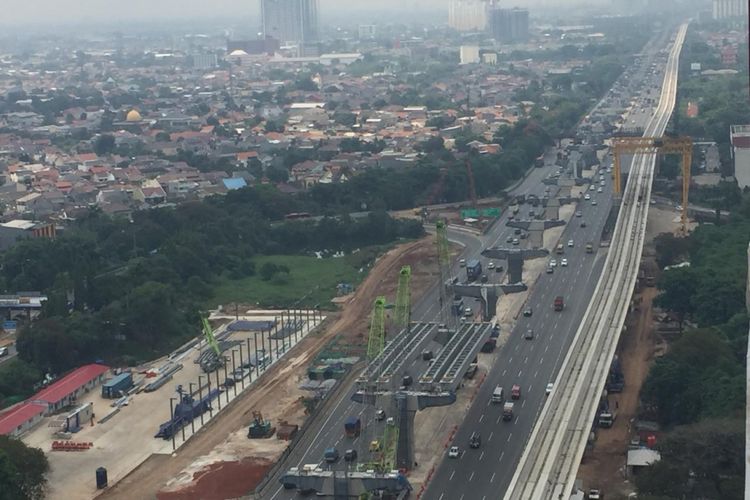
column 484, row 472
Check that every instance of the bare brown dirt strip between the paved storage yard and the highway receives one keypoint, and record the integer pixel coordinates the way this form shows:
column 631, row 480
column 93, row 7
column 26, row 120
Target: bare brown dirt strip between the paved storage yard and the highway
column 219, row 461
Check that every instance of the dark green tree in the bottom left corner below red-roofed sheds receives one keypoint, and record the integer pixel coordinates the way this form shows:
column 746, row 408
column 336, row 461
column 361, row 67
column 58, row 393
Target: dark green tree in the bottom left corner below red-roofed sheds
column 22, row 470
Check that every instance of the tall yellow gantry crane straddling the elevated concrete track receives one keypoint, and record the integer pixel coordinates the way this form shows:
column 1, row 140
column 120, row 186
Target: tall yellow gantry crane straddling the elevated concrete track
column 656, row 145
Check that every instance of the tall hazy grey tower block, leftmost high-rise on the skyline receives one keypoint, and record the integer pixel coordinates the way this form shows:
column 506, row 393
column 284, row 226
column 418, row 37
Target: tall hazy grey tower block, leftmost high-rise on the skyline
column 290, row 21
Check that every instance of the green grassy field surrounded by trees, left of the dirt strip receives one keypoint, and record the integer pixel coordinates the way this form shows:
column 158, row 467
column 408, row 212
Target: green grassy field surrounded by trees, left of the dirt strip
column 308, row 276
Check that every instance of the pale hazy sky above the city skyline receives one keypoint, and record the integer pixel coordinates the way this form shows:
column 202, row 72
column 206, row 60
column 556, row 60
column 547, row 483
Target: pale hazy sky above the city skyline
column 67, row 11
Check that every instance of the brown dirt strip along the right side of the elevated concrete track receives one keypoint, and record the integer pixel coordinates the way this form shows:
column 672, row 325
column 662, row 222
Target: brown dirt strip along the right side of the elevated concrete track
column 603, row 466
